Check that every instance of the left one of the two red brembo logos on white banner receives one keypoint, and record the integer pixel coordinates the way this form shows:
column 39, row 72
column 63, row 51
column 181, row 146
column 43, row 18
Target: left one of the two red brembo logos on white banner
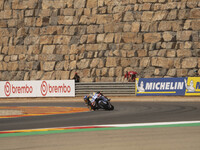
column 10, row 88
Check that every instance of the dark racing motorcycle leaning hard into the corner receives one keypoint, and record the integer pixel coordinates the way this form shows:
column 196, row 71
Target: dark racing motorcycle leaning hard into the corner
column 99, row 103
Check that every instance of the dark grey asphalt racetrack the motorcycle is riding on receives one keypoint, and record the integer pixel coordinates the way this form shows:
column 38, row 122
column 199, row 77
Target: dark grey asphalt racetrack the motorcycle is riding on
column 125, row 112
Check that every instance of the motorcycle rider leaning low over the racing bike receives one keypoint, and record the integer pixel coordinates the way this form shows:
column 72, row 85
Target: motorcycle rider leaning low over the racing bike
column 93, row 99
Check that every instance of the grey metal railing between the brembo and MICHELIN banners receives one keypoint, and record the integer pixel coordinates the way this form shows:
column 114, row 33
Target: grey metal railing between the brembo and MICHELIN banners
column 107, row 88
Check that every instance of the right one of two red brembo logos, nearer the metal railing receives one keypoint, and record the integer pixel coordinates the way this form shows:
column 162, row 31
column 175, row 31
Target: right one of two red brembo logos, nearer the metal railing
column 48, row 88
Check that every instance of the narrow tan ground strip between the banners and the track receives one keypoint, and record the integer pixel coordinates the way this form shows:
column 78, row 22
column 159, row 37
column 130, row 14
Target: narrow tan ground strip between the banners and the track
column 113, row 98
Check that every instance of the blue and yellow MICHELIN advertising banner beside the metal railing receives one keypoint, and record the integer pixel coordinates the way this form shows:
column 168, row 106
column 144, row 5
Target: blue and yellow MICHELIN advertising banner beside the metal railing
column 167, row 86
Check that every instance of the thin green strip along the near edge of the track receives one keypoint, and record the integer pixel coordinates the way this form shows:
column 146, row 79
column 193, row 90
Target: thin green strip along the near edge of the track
column 95, row 129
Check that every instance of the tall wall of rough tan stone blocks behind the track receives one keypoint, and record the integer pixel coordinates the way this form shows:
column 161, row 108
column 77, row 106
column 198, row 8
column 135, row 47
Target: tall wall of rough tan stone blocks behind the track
column 99, row 39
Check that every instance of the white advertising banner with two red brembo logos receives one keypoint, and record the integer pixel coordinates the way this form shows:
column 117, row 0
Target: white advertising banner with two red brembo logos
column 44, row 88
